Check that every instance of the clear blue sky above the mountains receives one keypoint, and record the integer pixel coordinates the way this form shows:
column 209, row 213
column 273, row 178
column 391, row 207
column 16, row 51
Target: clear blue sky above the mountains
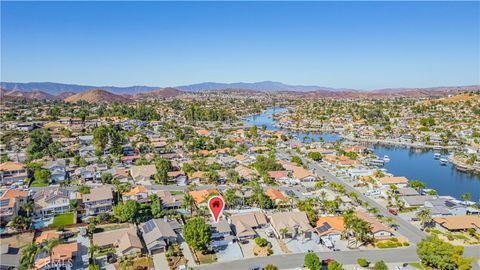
column 363, row 45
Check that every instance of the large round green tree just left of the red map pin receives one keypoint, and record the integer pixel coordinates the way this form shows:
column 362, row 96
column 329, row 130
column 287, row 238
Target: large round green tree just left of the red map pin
column 197, row 233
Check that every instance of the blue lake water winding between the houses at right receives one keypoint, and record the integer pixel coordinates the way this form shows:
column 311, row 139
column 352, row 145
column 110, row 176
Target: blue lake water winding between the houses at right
column 407, row 162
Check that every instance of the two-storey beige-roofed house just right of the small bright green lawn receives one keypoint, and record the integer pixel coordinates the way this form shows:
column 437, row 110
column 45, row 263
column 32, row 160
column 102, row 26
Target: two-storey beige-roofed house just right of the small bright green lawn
column 99, row 200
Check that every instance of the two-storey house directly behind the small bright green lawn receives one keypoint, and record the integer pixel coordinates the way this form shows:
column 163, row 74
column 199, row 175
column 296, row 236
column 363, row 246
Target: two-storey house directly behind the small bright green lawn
column 48, row 203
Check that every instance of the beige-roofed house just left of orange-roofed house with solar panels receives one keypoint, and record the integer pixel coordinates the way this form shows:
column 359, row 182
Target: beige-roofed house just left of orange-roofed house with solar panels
column 296, row 223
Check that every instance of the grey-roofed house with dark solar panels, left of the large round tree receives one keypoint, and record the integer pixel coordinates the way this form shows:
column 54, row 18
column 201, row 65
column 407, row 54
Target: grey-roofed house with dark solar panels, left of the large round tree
column 157, row 234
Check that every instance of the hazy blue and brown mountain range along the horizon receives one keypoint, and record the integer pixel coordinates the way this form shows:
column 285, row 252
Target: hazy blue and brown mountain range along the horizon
column 73, row 92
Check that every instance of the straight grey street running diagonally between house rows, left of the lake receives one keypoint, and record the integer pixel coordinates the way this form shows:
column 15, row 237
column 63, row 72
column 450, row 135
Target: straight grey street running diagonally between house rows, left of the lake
column 405, row 228
